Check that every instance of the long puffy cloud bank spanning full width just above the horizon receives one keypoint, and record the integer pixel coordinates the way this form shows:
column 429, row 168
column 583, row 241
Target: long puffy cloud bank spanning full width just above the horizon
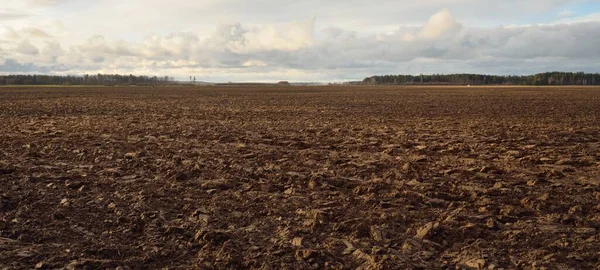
column 310, row 50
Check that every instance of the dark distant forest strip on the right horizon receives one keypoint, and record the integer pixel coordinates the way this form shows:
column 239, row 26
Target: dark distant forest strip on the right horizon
column 549, row 78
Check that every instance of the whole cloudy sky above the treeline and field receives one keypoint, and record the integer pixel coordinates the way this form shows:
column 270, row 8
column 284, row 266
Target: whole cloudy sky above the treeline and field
column 298, row 41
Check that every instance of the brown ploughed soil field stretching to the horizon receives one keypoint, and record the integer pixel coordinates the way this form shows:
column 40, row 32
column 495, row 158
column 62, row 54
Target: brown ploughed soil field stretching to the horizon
column 300, row 177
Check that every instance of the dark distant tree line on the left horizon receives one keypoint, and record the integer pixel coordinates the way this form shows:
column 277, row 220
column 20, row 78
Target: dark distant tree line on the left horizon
column 98, row 79
